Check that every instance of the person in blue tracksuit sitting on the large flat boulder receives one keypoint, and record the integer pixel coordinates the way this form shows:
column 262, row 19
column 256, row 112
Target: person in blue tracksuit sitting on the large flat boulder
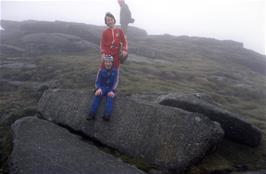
column 106, row 83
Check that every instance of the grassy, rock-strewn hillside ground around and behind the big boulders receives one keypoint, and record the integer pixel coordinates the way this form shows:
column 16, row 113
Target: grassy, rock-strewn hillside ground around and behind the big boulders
column 228, row 74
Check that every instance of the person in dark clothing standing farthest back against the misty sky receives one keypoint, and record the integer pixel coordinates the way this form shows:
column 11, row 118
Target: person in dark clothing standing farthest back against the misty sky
column 125, row 16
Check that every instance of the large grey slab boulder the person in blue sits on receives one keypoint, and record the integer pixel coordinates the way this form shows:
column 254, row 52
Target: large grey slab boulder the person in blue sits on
column 166, row 137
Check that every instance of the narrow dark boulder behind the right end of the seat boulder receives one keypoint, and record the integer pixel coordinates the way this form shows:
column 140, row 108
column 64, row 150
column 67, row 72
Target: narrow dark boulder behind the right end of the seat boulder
column 235, row 128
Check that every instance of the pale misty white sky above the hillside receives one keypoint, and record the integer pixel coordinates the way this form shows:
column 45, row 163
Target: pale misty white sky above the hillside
column 239, row 20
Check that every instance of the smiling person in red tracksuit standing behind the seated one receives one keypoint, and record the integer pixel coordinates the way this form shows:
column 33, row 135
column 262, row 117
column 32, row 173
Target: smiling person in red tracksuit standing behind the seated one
column 112, row 39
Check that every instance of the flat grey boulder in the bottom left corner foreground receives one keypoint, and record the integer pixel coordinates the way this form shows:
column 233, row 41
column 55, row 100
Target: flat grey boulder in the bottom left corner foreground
column 43, row 147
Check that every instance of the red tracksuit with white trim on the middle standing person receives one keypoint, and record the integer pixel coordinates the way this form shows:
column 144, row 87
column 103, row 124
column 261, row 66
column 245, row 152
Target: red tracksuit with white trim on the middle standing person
column 110, row 43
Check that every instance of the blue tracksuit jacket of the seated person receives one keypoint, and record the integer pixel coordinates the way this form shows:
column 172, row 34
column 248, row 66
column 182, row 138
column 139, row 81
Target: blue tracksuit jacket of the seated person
column 107, row 80
